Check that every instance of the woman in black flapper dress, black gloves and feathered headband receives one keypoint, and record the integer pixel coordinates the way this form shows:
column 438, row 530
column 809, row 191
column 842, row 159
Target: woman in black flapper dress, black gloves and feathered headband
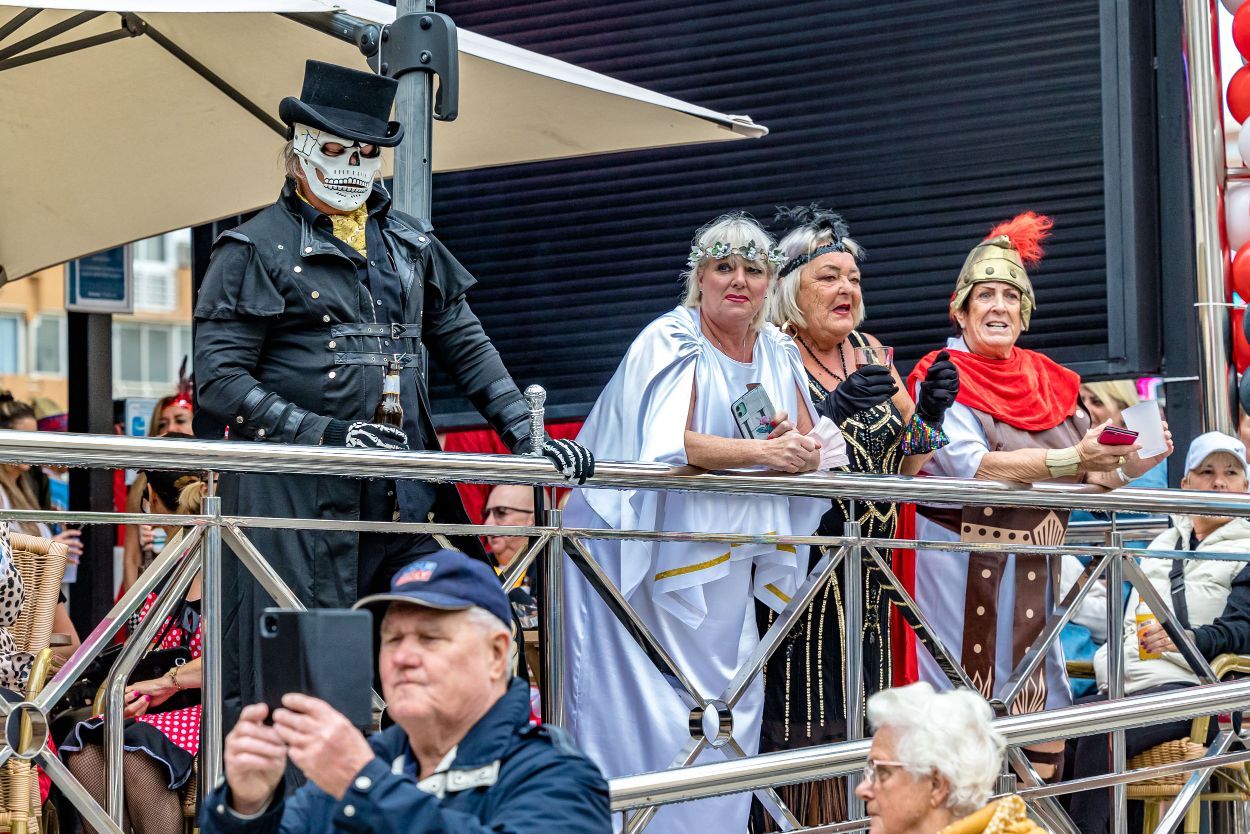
column 819, row 302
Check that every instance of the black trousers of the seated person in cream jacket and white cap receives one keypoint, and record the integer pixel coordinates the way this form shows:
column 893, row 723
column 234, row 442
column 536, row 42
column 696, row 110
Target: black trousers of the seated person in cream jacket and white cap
column 1091, row 756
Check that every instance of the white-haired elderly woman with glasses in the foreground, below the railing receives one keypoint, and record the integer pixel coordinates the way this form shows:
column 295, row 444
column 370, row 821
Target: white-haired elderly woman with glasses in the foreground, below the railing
column 933, row 766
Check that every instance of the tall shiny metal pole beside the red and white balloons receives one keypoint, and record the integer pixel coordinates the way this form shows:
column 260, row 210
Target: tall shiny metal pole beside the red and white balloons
column 1209, row 172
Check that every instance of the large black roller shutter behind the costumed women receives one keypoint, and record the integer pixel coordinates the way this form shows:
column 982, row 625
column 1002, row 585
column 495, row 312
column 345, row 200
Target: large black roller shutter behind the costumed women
column 923, row 122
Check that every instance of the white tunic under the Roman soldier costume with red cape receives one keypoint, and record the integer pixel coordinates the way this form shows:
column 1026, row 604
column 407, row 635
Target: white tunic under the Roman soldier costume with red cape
column 942, row 576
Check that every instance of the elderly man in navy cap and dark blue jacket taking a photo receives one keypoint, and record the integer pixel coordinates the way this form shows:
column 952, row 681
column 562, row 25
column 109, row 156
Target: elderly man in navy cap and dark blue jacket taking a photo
column 463, row 755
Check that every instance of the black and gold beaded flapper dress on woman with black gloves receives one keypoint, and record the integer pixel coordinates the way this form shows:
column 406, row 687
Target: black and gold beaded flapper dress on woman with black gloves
column 804, row 700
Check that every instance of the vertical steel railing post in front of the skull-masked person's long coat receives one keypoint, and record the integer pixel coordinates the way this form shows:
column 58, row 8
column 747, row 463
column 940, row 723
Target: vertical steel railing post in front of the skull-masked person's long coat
column 211, row 638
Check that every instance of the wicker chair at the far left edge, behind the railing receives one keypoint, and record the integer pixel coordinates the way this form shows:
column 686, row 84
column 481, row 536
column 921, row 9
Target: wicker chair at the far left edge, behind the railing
column 42, row 565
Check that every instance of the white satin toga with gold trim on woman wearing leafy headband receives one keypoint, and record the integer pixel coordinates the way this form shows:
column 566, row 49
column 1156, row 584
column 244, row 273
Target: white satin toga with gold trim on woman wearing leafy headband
column 697, row 598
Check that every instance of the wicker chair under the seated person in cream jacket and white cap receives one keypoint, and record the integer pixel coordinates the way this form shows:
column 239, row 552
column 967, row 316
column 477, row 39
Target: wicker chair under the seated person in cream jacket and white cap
column 1231, row 785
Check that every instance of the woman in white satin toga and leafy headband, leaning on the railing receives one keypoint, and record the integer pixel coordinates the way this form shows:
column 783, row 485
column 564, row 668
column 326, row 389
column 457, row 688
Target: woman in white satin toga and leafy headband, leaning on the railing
column 673, row 401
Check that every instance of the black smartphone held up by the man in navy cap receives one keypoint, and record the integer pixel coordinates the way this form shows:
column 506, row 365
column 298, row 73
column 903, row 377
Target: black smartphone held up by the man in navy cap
column 326, row 653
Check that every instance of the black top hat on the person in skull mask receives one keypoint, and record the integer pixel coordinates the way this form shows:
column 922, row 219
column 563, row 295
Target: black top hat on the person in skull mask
column 346, row 103
